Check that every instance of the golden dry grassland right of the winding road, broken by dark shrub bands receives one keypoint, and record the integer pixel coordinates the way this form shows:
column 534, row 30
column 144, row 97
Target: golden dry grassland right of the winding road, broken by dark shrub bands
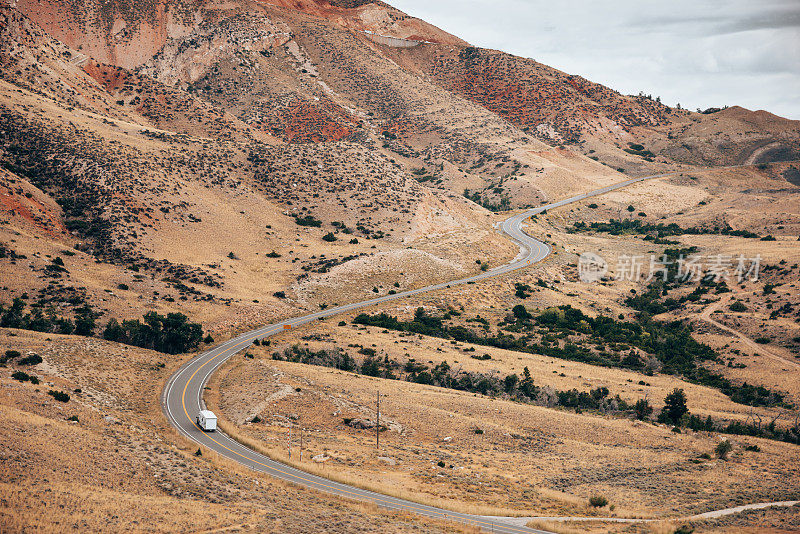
column 531, row 459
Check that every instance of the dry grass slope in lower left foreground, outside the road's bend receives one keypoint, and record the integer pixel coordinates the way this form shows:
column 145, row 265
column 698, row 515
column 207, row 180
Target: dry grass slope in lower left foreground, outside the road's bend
column 122, row 467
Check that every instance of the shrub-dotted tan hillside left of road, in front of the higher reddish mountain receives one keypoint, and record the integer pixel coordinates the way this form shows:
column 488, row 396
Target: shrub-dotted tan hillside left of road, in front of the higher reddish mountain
column 120, row 188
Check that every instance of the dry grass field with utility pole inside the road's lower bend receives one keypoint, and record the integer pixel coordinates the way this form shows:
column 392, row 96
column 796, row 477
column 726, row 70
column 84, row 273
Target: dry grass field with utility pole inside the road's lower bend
column 511, row 459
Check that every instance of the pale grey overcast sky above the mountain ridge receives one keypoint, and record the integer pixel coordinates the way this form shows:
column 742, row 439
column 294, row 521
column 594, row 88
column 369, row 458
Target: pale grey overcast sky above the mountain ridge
column 699, row 53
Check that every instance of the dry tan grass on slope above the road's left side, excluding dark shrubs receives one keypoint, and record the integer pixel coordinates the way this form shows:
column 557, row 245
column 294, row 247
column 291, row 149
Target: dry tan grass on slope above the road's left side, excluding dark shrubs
column 438, row 237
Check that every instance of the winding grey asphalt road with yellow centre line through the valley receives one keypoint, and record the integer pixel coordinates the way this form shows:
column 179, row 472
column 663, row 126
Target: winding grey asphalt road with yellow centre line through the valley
column 182, row 396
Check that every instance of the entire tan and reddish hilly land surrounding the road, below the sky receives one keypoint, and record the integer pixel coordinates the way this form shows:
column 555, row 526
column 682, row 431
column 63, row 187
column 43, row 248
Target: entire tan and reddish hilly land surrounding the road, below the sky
column 174, row 173
